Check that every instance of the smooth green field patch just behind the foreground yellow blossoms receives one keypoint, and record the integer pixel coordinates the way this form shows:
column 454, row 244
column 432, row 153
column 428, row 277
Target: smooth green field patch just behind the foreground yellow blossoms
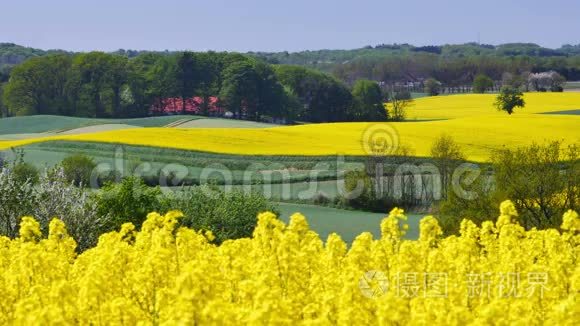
column 348, row 224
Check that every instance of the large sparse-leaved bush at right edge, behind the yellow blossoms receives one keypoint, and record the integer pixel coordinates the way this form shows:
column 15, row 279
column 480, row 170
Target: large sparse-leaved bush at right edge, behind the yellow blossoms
column 542, row 180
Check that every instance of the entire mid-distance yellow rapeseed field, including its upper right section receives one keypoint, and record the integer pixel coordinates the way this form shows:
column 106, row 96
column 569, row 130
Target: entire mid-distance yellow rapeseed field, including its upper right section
column 470, row 119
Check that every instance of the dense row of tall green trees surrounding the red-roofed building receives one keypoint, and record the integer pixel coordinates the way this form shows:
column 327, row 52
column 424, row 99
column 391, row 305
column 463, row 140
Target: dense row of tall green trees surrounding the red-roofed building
column 105, row 85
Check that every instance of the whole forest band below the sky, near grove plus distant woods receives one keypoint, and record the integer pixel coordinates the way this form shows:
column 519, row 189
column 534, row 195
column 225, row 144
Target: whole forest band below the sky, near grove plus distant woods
column 315, row 86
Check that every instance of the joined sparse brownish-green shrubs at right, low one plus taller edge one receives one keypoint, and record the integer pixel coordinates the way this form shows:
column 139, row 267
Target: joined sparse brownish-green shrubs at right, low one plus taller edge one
column 543, row 180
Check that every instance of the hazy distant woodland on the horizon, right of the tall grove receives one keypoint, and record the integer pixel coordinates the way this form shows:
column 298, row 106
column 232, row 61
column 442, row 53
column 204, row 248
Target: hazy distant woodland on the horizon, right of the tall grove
column 453, row 65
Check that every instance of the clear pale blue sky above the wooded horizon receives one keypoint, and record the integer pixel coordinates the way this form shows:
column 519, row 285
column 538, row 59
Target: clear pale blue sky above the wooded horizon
column 262, row 25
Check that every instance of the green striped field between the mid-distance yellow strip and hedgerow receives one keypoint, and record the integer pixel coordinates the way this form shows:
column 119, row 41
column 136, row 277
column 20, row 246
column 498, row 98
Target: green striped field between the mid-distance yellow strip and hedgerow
column 295, row 170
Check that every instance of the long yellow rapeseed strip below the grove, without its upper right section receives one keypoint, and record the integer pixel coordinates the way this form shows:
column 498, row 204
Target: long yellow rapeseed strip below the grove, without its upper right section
column 477, row 135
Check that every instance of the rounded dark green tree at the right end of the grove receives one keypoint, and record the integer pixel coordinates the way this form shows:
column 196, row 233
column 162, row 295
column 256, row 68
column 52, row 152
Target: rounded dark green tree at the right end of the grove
column 367, row 104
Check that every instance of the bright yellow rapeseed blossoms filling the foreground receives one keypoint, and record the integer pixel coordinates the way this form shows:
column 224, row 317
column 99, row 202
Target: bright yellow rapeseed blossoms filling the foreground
column 285, row 274
